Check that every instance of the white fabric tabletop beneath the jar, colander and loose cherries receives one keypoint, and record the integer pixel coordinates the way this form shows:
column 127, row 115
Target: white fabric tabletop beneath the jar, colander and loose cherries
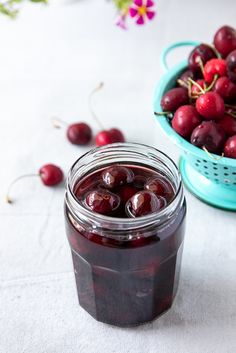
column 50, row 60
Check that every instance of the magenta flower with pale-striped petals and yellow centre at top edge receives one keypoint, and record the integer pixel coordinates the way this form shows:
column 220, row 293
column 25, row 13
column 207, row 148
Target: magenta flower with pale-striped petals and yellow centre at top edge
column 142, row 9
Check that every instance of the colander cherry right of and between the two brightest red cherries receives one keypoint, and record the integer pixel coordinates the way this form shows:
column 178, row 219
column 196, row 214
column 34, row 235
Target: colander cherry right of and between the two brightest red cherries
column 226, row 89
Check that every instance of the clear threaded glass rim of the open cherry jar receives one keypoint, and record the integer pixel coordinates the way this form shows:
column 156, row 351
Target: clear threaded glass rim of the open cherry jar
column 115, row 222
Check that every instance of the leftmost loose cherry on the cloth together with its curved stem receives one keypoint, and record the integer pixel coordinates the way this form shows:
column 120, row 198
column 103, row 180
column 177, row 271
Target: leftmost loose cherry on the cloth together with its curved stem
column 50, row 175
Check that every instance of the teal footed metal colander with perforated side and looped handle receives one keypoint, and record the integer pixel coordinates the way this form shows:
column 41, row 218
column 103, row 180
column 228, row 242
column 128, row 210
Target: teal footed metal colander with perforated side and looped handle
column 210, row 178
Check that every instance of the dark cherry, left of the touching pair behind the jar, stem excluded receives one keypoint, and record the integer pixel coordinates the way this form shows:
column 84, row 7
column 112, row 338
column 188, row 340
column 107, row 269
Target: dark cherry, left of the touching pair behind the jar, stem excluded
column 79, row 134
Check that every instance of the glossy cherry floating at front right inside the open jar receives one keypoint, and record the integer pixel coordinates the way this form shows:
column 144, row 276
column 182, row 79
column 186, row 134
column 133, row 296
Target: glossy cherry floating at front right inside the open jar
column 144, row 203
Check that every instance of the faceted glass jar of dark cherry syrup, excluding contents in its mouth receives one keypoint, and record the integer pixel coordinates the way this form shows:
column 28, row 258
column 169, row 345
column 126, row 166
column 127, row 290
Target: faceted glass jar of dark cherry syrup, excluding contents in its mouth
column 126, row 269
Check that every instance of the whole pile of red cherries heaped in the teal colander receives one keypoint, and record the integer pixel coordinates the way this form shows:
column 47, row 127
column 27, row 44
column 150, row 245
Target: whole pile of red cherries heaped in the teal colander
column 202, row 108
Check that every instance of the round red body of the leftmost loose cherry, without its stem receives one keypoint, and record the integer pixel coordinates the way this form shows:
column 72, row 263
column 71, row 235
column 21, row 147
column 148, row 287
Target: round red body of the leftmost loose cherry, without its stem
column 51, row 174
